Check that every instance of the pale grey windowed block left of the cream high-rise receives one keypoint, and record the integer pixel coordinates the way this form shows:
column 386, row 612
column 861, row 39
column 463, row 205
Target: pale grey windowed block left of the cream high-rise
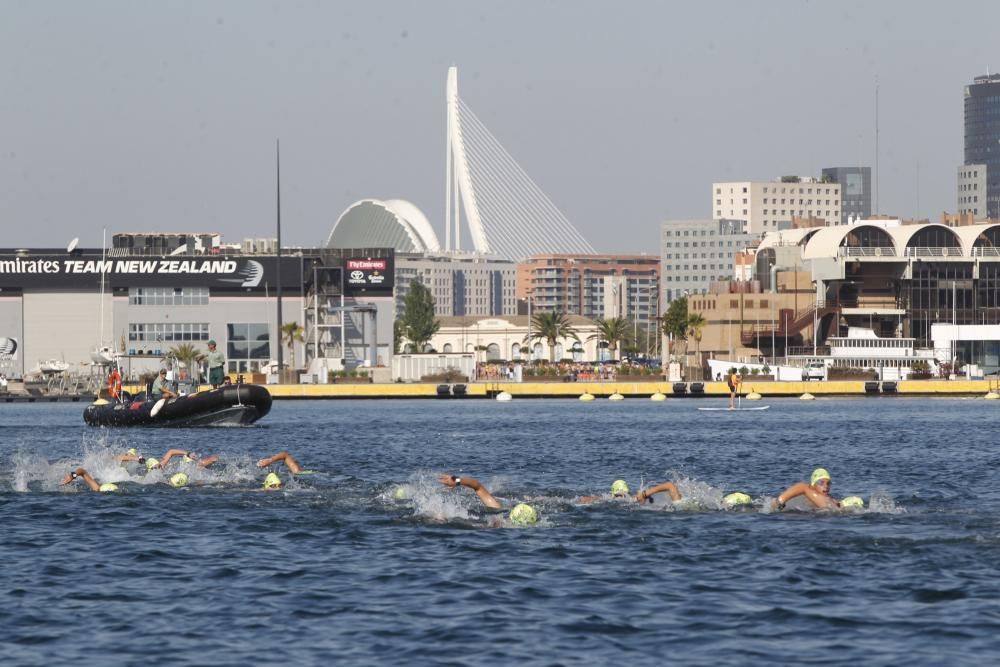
column 696, row 253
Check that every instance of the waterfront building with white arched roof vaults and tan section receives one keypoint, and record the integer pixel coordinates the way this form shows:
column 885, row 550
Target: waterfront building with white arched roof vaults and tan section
column 933, row 286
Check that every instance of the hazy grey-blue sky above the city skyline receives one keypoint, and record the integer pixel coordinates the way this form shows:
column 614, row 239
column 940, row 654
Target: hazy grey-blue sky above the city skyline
column 140, row 116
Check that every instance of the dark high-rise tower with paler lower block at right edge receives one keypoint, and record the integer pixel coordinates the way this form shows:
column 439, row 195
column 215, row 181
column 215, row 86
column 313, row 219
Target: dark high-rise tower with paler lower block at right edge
column 982, row 139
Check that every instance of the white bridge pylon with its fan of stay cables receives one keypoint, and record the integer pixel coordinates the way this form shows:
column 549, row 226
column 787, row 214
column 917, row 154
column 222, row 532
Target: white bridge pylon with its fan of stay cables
column 508, row 214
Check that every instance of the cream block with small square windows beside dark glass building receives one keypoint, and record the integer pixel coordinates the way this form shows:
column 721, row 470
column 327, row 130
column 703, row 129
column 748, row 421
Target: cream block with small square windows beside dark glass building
column 768, row 206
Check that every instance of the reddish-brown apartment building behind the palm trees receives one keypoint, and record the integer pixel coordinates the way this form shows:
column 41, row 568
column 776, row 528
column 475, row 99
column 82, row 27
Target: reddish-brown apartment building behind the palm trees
column 592, row 286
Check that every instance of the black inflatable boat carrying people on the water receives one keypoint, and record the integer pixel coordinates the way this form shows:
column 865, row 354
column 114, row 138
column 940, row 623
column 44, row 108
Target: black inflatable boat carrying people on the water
column 235, row 405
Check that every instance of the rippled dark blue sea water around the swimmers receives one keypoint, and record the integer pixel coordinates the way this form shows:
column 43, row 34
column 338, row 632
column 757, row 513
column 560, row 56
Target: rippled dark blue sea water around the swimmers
column 370, row 560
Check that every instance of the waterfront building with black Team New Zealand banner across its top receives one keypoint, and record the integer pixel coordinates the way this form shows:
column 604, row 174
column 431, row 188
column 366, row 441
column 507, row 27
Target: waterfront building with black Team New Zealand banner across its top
column 141, row 298
